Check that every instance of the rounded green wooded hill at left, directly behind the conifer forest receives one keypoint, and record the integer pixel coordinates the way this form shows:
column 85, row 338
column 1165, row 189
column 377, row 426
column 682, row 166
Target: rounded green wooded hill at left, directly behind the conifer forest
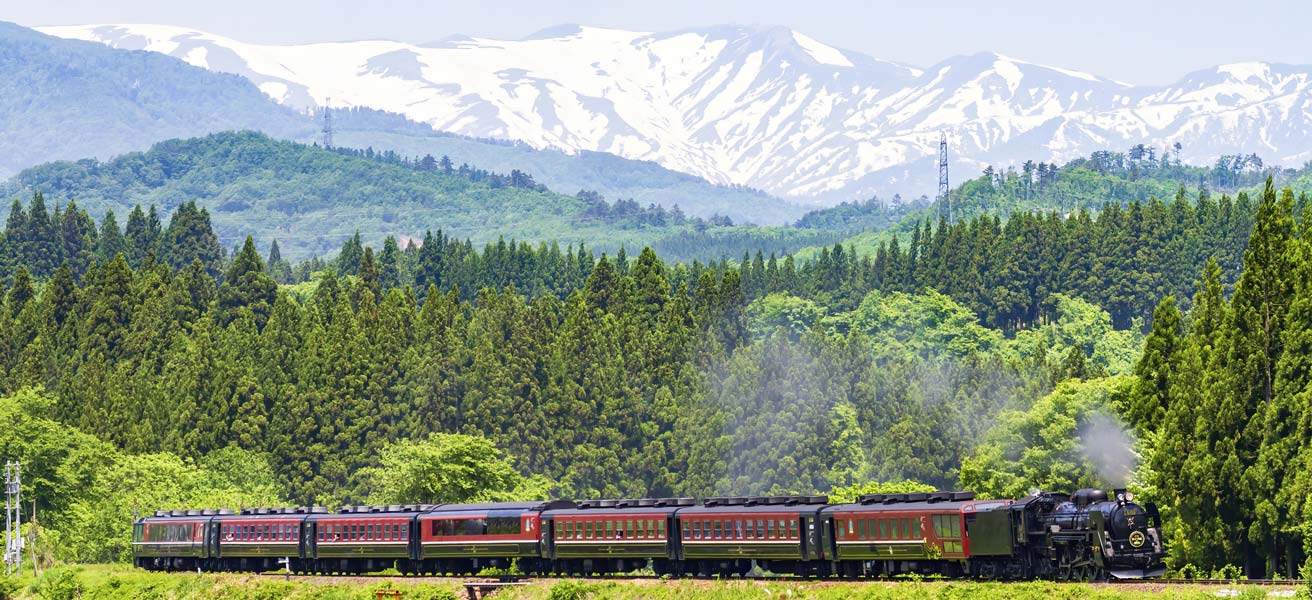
column 312, row 200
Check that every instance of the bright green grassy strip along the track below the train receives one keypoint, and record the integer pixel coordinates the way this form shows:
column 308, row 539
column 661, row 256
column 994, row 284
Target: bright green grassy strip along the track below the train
column 119, row 582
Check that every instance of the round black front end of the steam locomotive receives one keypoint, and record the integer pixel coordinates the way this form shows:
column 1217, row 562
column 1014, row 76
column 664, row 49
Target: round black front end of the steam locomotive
column 1130, row 540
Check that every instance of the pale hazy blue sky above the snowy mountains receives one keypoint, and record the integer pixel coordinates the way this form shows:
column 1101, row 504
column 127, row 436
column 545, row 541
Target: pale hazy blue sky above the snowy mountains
column 1136, row 41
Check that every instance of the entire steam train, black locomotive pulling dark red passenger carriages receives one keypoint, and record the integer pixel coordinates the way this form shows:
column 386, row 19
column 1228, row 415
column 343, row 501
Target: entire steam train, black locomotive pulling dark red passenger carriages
column 1086, row 536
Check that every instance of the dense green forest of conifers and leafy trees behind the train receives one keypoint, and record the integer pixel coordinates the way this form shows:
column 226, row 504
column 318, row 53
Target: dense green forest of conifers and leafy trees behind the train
column 948, row 363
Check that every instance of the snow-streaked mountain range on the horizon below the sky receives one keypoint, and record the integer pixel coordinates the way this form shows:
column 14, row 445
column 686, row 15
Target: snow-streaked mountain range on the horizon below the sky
column 768, row 108
